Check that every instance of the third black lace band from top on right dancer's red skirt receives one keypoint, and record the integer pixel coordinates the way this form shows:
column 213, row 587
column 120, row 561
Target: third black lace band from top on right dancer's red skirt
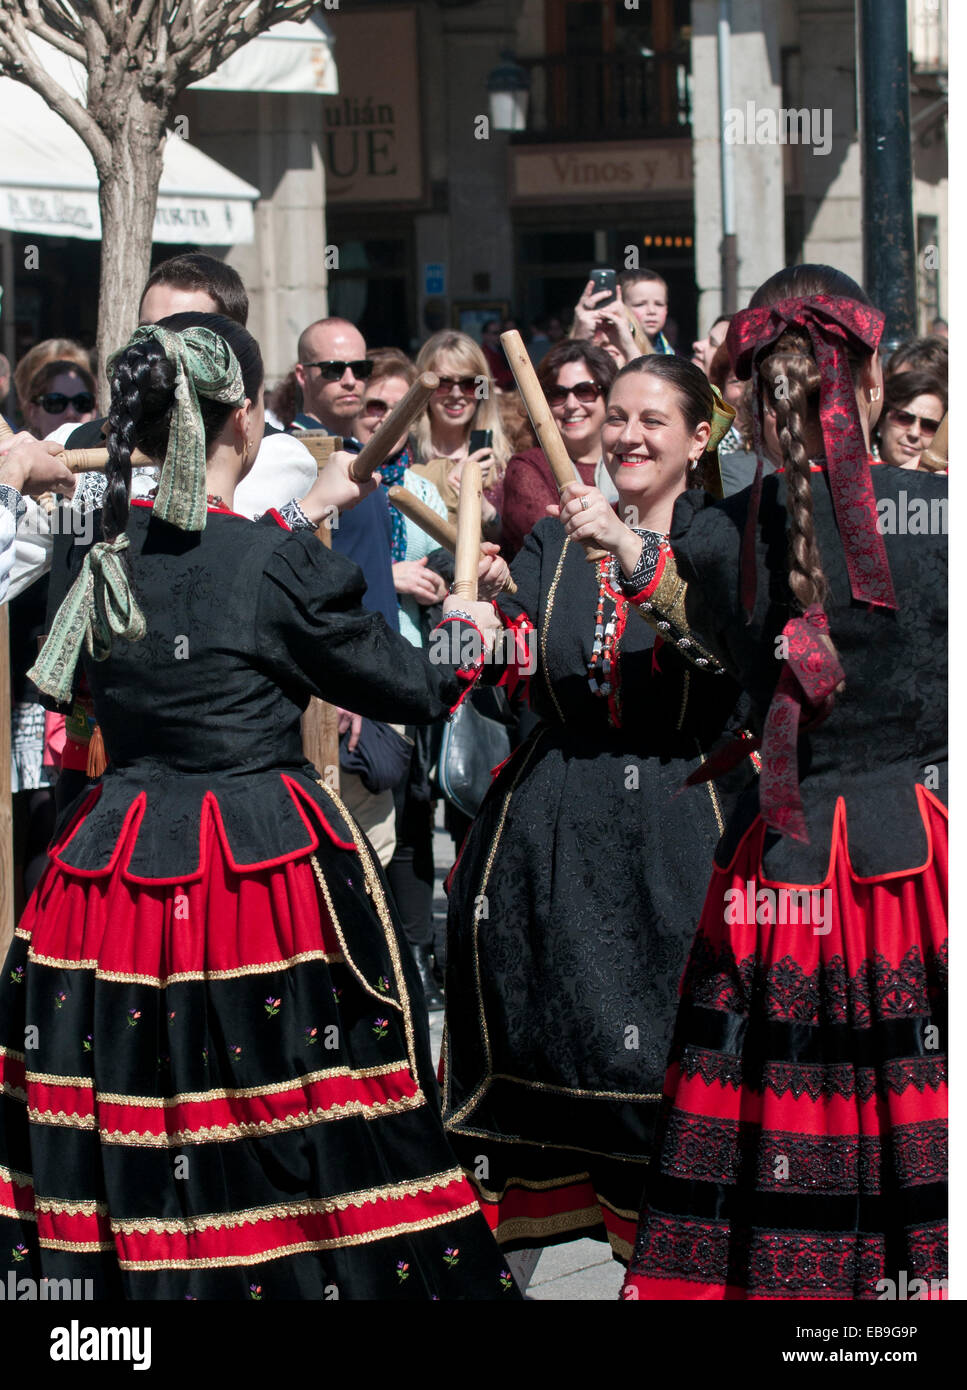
column 723, row 1152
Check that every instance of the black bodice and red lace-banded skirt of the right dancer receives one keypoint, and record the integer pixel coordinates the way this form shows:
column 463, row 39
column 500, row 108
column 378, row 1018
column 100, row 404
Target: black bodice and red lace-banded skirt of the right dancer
column 804, row 1140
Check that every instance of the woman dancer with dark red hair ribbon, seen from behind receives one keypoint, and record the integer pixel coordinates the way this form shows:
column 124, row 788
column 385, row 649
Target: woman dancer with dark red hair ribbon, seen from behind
column 804, row 1140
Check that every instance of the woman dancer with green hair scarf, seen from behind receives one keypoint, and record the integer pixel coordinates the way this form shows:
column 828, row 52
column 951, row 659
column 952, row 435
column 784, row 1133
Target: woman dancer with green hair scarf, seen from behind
column 215, row 1056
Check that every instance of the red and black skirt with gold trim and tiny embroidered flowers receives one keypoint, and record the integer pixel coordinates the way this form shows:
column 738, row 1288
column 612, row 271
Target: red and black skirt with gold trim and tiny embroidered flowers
column 224, row 1090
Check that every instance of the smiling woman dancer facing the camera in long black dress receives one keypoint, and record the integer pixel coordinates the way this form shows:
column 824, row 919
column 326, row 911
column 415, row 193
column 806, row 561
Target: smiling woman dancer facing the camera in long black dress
column 577, row 892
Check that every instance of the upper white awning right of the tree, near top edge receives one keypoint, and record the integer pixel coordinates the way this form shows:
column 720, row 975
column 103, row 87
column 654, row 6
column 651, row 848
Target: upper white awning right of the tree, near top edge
column 288, row 58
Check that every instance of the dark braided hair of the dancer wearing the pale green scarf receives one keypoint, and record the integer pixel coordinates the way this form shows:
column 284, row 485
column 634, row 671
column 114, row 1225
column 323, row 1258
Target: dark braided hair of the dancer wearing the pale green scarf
column 142, row 401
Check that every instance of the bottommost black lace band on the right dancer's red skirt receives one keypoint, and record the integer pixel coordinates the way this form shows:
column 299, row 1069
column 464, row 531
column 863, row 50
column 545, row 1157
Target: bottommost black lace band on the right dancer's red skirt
column 775, row 1264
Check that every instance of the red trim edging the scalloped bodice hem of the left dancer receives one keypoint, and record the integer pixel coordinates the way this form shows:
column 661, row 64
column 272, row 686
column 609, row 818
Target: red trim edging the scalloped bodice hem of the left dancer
column 209, row 817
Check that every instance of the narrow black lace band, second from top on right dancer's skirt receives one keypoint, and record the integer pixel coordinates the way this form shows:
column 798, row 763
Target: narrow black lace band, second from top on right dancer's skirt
column 816, row 1079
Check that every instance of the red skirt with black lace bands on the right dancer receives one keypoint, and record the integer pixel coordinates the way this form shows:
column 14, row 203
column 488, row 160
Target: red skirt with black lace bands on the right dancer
column 802, row 1147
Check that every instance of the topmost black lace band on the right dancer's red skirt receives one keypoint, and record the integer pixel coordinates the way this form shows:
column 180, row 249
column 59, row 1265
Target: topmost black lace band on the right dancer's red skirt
column 879, row 990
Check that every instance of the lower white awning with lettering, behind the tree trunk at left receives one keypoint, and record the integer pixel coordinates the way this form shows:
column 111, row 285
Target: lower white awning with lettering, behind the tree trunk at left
column 49, row 183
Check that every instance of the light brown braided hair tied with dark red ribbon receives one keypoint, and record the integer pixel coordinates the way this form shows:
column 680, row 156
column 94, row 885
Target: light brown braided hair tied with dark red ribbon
column 791, row 380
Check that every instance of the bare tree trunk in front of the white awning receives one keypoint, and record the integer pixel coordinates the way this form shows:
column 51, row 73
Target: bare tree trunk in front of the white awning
column 129, row 199
